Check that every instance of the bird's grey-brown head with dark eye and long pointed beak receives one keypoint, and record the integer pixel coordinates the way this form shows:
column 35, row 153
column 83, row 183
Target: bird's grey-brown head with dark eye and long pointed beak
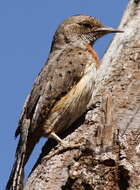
column 81, row 29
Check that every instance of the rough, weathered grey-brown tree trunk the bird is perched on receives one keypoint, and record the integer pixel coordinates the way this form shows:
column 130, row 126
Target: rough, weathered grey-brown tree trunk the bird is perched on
column 109, row 133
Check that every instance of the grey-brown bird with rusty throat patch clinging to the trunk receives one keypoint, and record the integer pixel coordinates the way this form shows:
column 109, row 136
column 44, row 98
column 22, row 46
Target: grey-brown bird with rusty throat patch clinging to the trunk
column 62, row 89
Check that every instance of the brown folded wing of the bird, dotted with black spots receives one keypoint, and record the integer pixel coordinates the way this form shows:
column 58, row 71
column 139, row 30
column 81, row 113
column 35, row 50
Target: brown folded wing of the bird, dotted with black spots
column 57, row 77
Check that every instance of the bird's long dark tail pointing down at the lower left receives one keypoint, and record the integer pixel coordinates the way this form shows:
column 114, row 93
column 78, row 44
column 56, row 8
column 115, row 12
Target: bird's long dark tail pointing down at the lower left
column 24, row 149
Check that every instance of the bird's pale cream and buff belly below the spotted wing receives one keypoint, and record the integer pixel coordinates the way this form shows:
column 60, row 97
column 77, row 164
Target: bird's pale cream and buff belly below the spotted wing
column 72, row 105
